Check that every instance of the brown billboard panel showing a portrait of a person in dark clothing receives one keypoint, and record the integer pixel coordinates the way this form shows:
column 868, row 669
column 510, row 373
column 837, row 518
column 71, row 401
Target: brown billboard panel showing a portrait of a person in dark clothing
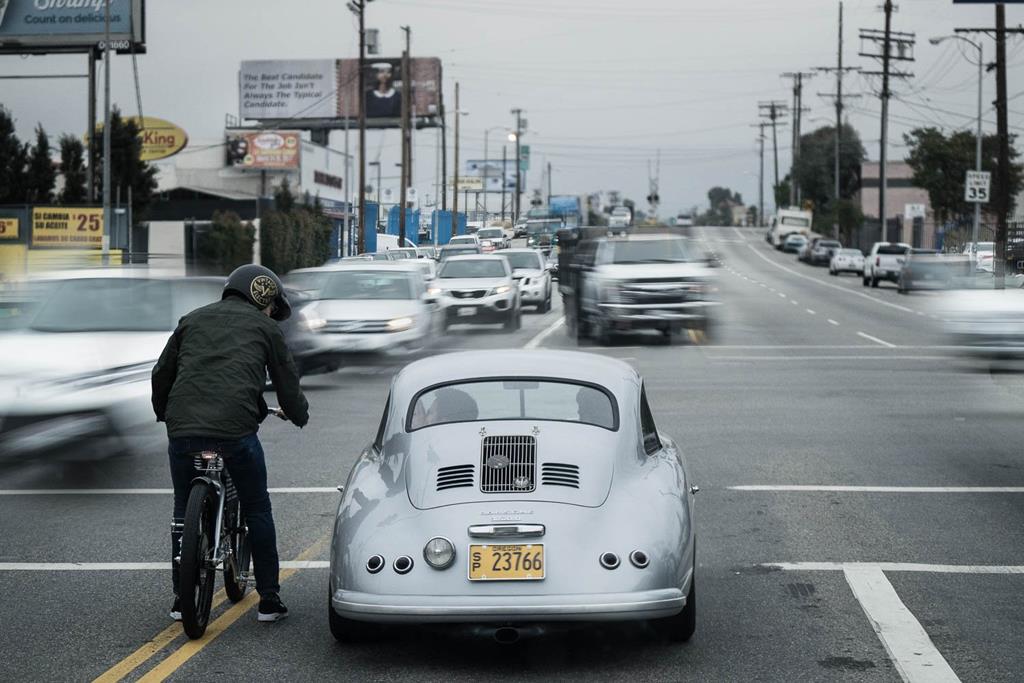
column 383, row 90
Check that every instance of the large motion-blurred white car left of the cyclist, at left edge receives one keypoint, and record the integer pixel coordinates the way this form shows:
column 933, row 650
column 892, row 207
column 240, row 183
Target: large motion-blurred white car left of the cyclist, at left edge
column 75, row 375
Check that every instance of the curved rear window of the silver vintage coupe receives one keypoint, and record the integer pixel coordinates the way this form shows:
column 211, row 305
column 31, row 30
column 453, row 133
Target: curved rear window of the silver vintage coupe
column 520, row 399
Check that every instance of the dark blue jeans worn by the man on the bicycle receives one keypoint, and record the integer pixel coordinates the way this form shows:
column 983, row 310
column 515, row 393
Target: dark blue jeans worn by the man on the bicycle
column 244, row 460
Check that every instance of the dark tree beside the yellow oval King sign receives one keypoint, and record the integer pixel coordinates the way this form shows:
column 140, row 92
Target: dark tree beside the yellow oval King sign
column 127, row 167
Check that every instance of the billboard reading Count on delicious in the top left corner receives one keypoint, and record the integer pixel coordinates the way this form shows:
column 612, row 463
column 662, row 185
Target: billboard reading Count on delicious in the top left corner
column 38, row 26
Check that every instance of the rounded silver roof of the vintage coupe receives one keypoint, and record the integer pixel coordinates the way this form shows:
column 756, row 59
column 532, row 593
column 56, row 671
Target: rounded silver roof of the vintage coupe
column 616, row 376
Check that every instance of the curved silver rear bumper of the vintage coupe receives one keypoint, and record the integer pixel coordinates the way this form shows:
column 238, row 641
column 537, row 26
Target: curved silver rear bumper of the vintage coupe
column 582, row 608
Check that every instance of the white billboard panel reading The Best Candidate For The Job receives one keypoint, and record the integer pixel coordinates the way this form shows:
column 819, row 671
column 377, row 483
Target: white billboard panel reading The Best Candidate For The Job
column 288, row 90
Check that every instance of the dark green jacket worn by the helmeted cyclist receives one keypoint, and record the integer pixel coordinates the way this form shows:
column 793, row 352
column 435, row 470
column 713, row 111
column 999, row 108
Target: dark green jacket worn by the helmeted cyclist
column 209, row 381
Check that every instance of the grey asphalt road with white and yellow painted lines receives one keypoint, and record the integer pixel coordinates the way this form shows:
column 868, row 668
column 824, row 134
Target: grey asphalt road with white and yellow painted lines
column 893, row 558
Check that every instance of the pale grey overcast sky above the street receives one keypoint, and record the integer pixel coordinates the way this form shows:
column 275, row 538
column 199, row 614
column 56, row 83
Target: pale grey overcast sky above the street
column 606, row 83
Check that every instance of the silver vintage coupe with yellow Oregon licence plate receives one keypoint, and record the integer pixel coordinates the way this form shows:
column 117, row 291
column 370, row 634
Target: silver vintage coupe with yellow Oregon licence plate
column 509, row 499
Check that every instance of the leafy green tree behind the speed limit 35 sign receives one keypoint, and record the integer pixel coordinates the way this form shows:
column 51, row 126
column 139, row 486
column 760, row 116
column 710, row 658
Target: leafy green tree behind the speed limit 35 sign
column 941, row 164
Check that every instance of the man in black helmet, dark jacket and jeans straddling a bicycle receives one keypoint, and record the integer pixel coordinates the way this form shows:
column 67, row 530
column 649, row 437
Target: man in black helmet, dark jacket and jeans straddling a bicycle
column 208, row 388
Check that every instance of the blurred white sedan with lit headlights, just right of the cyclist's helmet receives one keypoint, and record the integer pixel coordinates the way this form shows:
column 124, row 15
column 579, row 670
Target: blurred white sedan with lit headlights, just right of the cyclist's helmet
column 362, row 309
